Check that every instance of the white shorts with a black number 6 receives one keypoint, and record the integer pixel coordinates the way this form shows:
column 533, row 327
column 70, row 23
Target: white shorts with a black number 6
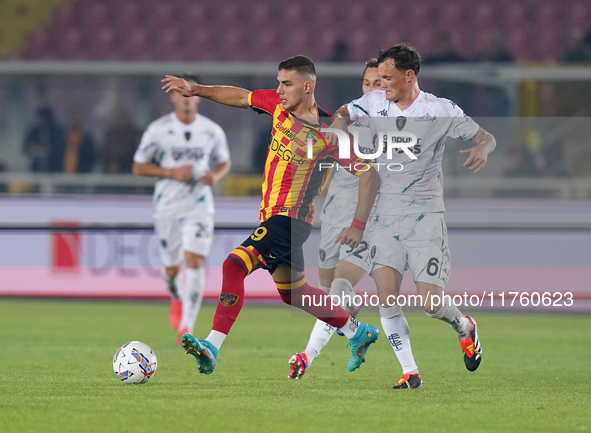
column 417, row 242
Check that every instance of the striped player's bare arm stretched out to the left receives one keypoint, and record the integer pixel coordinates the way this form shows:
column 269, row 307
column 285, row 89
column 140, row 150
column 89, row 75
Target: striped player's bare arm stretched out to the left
column 227, row 95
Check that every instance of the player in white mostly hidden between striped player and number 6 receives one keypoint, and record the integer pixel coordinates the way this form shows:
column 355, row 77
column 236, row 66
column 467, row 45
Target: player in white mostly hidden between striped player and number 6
column 353, row 263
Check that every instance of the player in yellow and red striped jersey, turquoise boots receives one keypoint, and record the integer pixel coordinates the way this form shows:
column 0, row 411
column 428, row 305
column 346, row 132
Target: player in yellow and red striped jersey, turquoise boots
column 291, row 182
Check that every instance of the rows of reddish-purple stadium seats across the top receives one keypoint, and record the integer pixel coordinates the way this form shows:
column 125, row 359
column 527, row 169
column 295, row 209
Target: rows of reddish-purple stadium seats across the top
column 263, row 30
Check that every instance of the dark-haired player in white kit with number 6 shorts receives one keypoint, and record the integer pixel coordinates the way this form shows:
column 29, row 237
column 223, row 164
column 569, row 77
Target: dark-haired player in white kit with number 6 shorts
column 409, row 230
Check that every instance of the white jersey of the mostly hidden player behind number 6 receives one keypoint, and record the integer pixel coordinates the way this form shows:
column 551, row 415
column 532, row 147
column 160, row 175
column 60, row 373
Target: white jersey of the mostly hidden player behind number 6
column 342, row 195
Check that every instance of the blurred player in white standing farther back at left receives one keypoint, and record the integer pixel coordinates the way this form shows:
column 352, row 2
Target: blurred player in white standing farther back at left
column 178, row 148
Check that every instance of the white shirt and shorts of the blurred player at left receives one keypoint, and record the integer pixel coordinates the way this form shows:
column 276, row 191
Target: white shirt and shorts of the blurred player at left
column 183, row 211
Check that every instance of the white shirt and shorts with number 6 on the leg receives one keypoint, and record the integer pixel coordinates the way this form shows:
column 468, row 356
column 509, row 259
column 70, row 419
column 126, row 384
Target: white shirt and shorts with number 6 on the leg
column 408, row 230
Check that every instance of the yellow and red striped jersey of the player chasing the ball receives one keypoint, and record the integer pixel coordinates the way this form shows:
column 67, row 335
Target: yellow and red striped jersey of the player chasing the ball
column 291, row 180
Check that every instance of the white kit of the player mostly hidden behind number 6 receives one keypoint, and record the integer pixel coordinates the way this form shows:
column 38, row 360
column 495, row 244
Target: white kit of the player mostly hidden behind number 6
column 338, row 213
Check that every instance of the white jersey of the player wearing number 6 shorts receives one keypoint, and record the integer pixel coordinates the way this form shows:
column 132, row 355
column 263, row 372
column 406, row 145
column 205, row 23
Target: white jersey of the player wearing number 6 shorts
column 411, row 185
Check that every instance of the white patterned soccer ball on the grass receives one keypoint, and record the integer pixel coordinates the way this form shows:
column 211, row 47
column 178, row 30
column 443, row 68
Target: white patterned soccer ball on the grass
column 134, row 362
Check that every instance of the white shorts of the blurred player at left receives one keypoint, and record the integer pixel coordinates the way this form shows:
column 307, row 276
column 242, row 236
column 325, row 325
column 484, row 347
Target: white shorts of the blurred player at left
column 177, row 235
